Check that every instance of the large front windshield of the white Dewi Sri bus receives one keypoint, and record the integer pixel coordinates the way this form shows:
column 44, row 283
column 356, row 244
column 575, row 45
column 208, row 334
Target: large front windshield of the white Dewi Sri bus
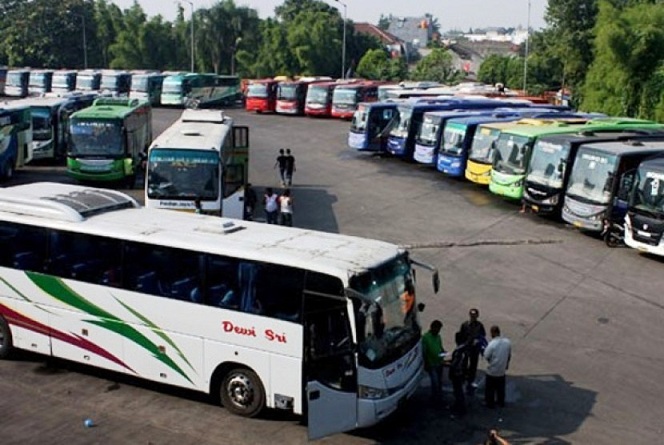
column 387, row 324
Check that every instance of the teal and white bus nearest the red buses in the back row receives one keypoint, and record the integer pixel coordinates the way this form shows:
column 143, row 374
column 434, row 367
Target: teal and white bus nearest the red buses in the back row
column 193, row 90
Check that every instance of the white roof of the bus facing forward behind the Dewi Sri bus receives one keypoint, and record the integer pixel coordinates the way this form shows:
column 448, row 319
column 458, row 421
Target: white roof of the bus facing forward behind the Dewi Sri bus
column 196, row 129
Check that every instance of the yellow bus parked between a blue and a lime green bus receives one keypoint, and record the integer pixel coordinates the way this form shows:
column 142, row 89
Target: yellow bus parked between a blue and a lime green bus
column 482, row 148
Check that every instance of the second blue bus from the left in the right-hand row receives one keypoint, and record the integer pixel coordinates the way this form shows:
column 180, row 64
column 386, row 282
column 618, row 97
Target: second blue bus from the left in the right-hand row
column 401, row 140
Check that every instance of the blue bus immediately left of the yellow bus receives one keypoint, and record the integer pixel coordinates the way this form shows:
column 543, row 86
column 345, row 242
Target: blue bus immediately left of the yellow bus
column 458, row 134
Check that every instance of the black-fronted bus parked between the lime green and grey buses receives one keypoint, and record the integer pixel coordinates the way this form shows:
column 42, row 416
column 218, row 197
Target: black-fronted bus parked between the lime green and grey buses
column 551, row 163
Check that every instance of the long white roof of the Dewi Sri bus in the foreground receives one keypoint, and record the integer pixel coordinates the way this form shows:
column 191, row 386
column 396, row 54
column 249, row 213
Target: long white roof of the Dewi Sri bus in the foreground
column 66, row 207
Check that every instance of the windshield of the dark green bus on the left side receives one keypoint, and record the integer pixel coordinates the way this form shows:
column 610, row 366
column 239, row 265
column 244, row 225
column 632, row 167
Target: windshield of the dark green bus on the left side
column 96, row 138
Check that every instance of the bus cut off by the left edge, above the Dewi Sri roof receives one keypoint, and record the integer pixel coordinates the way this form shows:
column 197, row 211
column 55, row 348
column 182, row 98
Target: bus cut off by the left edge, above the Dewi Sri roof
column 15, row 139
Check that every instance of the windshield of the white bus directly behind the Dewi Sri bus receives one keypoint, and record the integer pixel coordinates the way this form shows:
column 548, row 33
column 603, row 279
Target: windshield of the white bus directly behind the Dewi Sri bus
column 174, row 174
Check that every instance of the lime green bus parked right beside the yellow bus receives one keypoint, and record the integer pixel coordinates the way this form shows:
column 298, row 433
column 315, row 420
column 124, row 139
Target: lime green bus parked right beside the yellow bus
column 514, row 148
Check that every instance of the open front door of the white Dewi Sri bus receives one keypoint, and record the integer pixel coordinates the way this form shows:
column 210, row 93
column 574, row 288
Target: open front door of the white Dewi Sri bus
column 330, row 368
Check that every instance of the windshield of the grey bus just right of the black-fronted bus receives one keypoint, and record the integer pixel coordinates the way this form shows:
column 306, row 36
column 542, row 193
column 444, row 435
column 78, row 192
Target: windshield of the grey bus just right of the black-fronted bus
column 592, row 177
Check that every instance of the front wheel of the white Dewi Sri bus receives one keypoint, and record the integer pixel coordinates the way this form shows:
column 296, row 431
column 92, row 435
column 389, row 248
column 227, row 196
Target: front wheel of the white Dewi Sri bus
column 242, row 392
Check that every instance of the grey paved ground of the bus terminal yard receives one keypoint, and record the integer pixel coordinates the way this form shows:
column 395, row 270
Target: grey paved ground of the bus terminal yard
column 583, row 319
